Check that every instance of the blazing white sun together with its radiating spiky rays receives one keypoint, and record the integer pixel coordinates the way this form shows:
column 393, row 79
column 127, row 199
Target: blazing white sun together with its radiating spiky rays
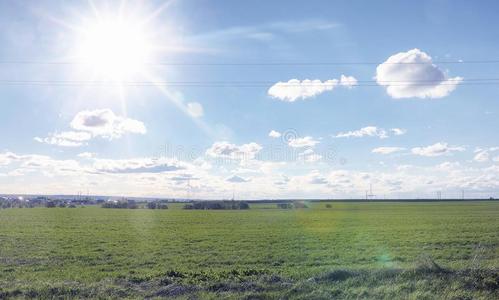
column 117, row 46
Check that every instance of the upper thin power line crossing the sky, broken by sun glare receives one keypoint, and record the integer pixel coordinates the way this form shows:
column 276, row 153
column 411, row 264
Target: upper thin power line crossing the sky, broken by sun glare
column 282, row 63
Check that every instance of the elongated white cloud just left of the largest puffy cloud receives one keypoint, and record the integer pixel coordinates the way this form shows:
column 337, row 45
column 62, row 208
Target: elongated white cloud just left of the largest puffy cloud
column 295, row 89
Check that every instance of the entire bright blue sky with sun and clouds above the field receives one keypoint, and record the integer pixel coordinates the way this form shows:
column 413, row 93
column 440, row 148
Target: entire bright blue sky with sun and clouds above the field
column 82, row 123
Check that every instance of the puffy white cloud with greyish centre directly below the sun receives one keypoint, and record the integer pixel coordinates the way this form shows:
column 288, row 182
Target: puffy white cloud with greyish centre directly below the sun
column 104, row 123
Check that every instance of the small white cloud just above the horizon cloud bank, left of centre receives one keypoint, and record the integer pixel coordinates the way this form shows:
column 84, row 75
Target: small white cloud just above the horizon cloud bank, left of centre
column 232, row 151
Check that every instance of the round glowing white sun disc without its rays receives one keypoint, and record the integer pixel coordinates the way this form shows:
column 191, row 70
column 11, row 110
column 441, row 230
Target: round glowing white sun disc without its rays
column 114, row 47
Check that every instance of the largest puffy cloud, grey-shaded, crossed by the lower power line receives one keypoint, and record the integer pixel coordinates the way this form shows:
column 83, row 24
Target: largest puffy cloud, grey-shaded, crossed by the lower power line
column 412, row 74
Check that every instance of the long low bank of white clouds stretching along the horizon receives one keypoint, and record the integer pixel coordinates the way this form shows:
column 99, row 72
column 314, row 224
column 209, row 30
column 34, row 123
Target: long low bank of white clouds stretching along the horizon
column 167, row 177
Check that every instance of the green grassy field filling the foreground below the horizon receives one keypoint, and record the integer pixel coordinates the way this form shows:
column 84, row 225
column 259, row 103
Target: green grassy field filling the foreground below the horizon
column 352, row 250
